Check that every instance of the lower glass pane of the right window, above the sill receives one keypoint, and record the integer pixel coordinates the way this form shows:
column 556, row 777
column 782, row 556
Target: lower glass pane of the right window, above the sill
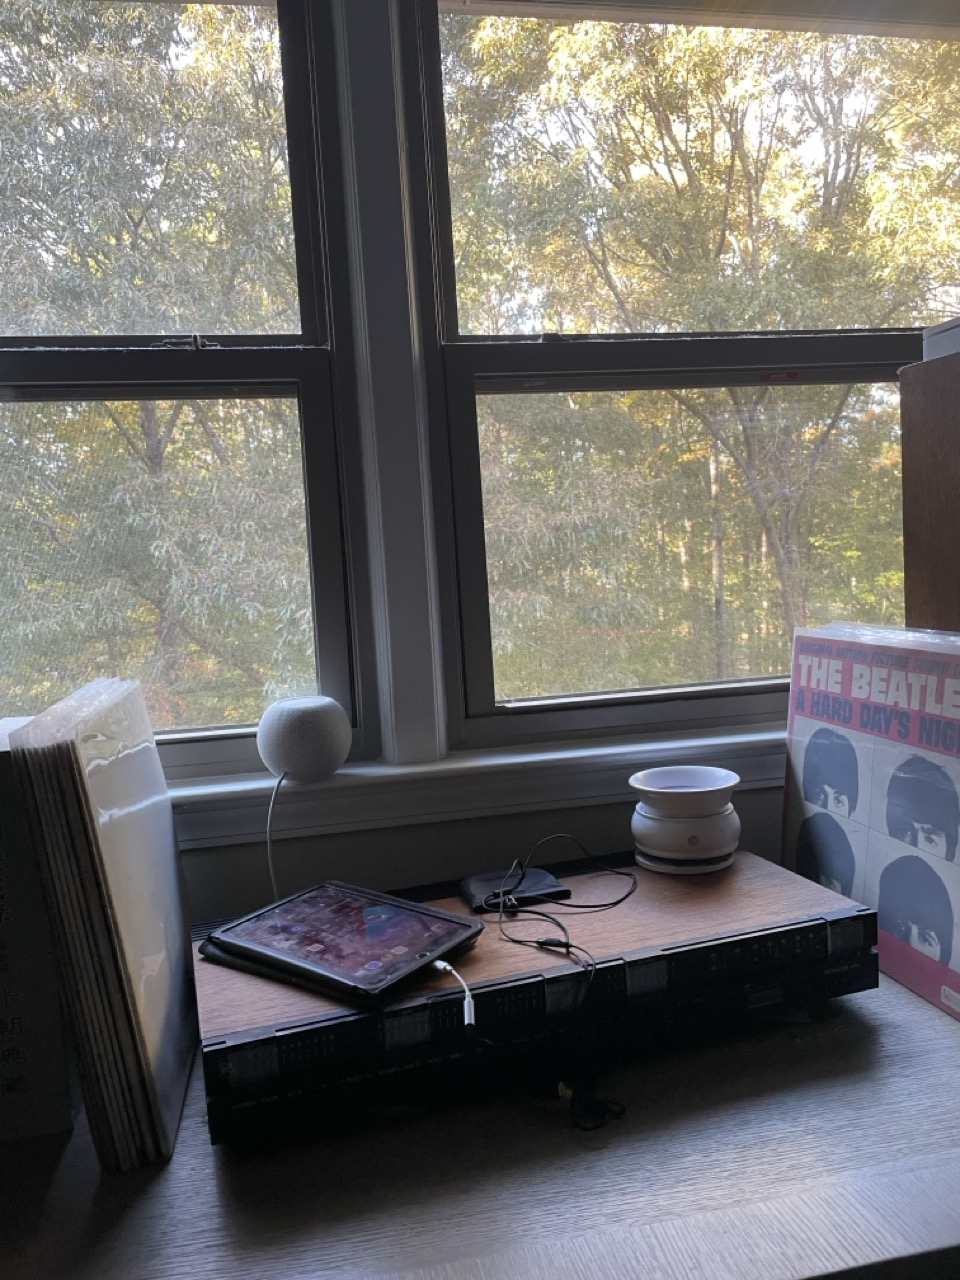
column 638, row 540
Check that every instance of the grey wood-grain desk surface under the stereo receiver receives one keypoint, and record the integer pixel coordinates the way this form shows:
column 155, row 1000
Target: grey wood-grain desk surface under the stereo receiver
column 797, row 1150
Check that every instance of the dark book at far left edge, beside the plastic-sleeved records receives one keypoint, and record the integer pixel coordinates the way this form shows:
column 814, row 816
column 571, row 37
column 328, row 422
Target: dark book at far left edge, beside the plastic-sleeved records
column 35, row 1072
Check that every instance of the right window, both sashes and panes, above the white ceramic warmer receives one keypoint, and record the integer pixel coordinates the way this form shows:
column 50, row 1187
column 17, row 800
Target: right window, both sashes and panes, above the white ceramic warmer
column 680, row 267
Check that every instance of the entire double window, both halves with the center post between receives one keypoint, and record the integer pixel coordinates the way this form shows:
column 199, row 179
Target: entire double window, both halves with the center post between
column 511, row 372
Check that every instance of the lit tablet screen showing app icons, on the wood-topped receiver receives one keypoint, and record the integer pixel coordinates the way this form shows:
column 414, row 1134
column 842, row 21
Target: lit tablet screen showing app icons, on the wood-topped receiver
column 350, row 936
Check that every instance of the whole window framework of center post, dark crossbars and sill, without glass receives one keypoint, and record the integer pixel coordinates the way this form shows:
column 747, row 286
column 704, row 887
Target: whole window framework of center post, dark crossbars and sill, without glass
column 406, row 662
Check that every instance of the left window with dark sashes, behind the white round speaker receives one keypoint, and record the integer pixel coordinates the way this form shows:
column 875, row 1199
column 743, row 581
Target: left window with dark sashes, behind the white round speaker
column 170, row 468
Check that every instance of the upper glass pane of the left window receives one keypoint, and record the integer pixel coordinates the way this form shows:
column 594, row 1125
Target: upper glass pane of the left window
column 144, row 182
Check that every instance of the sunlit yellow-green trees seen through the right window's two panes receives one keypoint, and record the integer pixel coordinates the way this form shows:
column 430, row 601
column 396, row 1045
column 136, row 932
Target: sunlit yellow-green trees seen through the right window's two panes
column 612, row 177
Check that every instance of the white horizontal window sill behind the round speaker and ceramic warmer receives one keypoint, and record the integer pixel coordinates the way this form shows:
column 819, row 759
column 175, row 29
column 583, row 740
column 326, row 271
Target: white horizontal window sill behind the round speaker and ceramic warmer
column 232, row 810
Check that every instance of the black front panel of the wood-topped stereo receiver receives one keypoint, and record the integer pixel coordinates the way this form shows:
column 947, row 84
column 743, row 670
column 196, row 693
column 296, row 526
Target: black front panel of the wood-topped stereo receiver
column 331, row 1063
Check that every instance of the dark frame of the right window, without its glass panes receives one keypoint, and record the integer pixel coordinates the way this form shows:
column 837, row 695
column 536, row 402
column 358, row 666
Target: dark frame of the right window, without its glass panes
column 463, row 367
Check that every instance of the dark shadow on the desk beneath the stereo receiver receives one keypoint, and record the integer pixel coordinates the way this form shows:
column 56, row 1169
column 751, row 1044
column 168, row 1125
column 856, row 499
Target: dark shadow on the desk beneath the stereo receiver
column 454, row 1148
